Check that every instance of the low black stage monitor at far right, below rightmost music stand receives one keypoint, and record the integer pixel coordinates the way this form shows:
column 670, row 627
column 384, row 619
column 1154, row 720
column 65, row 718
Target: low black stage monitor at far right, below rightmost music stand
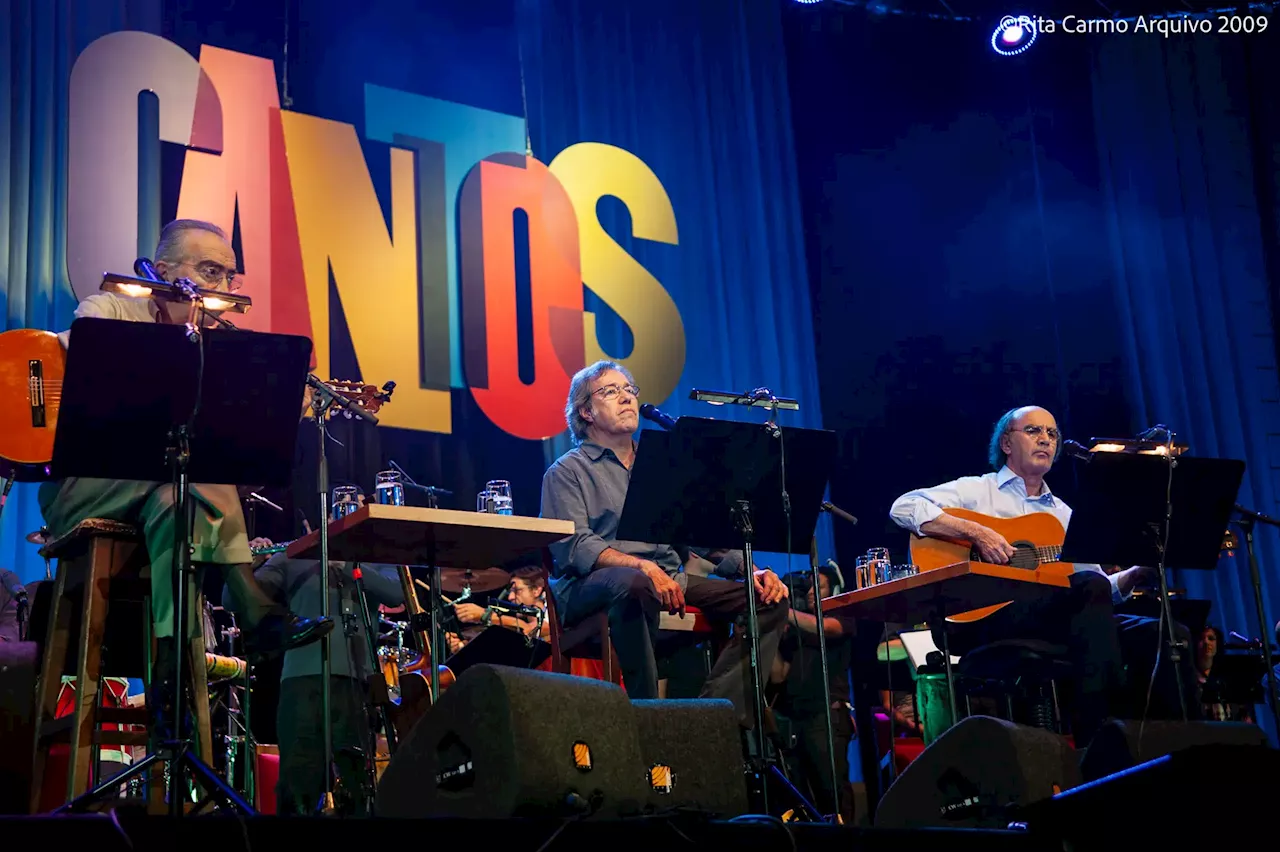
column 1122, row 744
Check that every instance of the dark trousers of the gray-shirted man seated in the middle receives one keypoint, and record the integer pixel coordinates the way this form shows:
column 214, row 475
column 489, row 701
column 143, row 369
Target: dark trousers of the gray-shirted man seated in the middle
column 633, row 610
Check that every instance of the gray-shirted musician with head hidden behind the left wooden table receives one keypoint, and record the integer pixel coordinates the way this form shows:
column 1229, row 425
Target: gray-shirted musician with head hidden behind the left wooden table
column 300, row 716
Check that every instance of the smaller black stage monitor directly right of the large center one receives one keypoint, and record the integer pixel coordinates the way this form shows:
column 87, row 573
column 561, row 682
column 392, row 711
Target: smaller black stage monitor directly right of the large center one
column 693, row 757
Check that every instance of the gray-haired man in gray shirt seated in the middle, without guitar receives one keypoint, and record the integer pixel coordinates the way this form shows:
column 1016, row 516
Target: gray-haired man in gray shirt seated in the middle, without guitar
column 634, row 581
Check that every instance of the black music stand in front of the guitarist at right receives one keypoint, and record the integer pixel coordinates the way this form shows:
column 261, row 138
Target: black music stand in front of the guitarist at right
column 1168, row 512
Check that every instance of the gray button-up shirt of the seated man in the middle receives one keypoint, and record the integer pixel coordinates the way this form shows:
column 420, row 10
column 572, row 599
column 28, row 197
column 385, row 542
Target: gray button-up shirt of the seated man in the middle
column 588, row 485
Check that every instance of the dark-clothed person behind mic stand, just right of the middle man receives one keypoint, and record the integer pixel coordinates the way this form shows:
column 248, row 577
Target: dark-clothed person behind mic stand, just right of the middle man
column 802, row 699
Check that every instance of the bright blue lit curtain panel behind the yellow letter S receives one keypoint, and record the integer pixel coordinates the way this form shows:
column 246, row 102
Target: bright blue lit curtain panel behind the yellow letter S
column 700, row 93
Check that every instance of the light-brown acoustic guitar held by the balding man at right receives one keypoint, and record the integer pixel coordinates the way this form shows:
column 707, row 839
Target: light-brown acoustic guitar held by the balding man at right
column 1037, row 540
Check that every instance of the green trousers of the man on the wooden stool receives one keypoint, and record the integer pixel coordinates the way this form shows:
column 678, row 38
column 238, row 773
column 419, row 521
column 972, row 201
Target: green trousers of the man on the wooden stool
column 218, row 530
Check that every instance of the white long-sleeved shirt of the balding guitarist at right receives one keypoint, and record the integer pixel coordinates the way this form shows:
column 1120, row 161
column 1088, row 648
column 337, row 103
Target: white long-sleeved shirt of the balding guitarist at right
column 1003, row 496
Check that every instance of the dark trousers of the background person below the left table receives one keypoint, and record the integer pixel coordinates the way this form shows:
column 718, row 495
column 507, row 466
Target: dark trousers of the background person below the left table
column 300, row 723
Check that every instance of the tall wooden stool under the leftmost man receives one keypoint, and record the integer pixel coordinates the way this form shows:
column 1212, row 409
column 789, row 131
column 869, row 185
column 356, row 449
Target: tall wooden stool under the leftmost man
column 90, row 558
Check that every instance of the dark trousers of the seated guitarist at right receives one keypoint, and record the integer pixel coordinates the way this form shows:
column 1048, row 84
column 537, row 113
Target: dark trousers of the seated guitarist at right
column 1082, row 620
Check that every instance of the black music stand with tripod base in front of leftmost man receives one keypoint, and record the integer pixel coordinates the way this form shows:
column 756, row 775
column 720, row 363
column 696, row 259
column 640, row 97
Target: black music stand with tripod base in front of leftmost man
column 186, row 416
